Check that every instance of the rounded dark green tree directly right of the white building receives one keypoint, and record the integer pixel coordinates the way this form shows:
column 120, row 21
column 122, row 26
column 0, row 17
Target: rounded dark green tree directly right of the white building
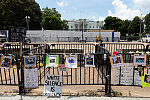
column 112, row 23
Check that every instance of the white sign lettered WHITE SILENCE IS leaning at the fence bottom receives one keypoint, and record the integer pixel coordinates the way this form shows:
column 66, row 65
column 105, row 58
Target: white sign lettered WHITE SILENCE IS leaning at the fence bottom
column 53, row 85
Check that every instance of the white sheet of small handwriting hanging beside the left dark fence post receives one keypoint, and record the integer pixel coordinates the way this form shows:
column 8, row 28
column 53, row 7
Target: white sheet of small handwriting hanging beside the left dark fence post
column 31, row 78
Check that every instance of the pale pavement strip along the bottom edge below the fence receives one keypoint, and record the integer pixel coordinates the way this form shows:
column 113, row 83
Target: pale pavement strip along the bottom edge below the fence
column 20, row 97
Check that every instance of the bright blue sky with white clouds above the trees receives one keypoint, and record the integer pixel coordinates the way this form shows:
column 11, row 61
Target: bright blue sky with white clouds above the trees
column 98, row 10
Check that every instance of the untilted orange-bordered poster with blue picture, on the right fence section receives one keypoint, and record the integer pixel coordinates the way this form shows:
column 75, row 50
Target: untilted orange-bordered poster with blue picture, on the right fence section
column 139, row 60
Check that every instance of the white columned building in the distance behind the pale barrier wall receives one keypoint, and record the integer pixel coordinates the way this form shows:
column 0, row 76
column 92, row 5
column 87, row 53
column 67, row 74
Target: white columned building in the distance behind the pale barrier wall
column 84, row 24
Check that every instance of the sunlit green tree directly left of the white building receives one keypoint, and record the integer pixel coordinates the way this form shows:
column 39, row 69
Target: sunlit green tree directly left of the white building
column 51, row 20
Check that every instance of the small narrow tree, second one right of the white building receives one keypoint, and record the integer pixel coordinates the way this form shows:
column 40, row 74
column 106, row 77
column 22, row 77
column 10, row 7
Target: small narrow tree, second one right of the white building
column 124, row 28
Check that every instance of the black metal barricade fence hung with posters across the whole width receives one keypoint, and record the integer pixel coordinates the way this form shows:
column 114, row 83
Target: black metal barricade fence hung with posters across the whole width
column 101, row 74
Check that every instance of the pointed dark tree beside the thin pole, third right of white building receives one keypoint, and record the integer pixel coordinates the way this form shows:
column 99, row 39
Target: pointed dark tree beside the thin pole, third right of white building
column 134, row 27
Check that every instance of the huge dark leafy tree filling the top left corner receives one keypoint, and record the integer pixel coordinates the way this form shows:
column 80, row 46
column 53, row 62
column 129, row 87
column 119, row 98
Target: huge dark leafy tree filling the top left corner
column 14, row 12
